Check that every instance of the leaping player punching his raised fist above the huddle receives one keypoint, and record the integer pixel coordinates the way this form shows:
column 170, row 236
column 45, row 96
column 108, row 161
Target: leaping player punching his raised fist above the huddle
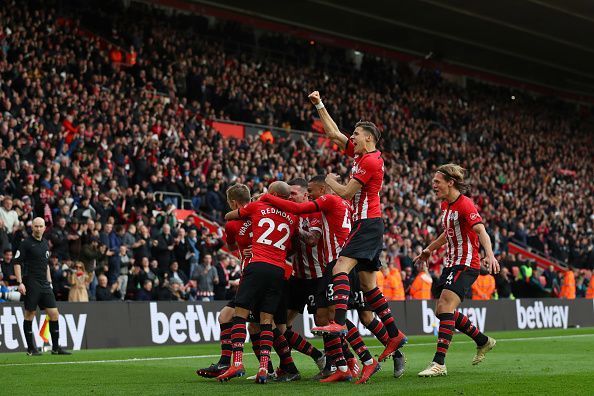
column 364, row 244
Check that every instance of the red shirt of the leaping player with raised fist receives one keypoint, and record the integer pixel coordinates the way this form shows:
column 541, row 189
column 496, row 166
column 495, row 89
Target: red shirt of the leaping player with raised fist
column 368, row 170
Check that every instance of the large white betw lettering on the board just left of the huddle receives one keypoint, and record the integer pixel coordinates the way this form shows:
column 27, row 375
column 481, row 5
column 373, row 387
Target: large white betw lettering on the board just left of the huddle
column 181, row 327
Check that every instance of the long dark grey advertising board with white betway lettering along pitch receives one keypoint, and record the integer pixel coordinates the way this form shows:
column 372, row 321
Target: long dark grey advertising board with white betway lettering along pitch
column 132, row 324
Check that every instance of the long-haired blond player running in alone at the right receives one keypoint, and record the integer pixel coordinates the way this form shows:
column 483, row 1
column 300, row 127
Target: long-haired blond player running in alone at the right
column 463, row 230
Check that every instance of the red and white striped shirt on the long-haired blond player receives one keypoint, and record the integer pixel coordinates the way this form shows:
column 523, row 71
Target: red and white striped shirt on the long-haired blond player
column 462, row 241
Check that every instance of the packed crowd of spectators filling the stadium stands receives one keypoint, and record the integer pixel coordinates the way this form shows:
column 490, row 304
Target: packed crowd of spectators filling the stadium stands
column 86, row 144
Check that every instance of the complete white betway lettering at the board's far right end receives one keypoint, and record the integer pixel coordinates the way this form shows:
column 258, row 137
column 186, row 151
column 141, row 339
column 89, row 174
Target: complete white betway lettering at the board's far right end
column 538, row 316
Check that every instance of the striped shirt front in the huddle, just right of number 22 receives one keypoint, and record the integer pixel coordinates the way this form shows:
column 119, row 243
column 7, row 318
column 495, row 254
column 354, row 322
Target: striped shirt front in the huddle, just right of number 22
column 309, row 260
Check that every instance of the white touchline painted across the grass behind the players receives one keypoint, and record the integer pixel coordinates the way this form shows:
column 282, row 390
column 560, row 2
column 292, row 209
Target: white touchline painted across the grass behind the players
column 132, row 360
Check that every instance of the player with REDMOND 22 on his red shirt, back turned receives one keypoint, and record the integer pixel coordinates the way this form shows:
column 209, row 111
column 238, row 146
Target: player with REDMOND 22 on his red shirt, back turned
column 263, row 278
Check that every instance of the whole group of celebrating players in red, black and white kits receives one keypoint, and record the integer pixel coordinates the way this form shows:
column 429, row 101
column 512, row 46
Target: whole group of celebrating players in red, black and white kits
column 317, row 244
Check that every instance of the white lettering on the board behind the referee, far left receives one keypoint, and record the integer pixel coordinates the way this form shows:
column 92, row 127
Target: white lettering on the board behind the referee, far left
column 13, row 338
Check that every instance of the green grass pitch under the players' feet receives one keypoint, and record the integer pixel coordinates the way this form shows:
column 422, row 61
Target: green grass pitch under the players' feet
column 528, row 362
